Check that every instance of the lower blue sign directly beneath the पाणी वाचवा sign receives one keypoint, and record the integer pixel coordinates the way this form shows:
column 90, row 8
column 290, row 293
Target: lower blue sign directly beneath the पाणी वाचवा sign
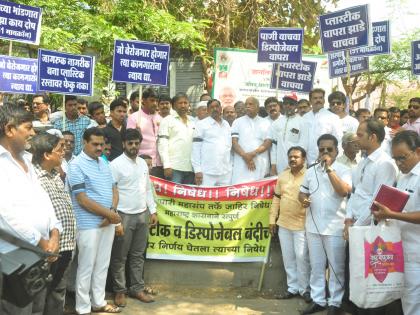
column 294, row 76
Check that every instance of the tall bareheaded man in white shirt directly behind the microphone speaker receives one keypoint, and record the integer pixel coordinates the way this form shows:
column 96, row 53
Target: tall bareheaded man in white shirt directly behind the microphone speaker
column 320, row 121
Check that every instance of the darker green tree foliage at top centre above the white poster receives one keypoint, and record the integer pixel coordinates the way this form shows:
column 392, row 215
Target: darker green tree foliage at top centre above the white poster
column 235, row 23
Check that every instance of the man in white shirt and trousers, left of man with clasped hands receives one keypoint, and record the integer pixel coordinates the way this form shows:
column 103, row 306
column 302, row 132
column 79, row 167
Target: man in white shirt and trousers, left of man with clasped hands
column 212, row 134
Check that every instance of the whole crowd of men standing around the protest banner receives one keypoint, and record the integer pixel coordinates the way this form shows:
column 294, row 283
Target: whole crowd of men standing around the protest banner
column 78, row 178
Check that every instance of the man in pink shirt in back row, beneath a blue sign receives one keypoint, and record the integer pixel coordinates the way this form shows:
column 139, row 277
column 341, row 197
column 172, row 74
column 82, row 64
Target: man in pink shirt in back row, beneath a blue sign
column 147, row 121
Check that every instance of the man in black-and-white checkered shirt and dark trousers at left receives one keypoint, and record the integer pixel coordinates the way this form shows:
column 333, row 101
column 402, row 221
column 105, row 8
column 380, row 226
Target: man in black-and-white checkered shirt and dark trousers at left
column 48, row 151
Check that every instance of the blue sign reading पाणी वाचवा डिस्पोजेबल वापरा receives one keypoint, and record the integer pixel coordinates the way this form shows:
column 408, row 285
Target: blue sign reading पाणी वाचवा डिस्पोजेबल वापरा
column 280, row 45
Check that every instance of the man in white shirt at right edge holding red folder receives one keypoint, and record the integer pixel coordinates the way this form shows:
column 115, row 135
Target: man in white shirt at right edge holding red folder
column 406, row 153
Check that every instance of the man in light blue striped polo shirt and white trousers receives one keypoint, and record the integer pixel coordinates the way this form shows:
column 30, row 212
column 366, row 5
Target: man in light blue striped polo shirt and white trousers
column 95, row 198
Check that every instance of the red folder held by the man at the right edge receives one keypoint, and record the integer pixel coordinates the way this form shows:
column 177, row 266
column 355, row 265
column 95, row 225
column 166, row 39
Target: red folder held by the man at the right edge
column 391, row 197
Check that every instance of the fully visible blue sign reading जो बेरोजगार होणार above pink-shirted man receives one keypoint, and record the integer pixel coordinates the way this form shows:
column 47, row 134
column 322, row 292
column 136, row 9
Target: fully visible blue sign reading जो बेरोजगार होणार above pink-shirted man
column 141, row 62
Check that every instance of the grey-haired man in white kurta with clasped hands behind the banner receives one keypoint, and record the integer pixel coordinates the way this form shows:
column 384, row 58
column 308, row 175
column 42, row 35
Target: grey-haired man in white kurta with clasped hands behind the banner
column 250, row 145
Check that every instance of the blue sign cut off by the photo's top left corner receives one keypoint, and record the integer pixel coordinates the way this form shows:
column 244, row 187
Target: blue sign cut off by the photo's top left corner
column 20, row 22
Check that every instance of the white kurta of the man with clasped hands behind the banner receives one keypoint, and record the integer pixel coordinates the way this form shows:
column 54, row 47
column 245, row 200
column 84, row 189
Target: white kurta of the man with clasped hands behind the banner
column 251, row 133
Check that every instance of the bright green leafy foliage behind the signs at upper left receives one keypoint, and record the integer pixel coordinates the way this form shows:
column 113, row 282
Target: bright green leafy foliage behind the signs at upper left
column 92, row 26
